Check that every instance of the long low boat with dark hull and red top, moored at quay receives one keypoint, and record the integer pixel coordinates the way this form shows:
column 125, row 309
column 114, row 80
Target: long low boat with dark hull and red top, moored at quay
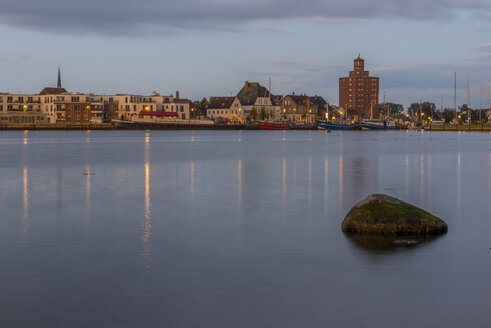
column 169, row 120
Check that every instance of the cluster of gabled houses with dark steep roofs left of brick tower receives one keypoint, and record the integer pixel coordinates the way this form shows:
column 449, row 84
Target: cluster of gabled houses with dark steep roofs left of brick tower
column 254, row 101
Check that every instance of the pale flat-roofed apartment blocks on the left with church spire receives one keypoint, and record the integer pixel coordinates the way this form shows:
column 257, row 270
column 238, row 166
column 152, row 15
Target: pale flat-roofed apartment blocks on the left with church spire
column 57, row 105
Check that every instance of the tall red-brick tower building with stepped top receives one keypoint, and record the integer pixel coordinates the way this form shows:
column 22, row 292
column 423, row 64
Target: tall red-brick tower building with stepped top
column 359, row 91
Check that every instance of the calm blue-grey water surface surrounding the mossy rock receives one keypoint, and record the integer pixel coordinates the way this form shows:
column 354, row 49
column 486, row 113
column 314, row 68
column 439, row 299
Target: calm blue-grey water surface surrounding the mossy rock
column 238, row 229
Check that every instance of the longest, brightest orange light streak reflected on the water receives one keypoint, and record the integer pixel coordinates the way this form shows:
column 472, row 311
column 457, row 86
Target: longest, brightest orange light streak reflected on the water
column 148, row 214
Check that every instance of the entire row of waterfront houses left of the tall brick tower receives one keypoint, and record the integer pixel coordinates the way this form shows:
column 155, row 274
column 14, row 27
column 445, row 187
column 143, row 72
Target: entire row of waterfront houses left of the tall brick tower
column 253, row 102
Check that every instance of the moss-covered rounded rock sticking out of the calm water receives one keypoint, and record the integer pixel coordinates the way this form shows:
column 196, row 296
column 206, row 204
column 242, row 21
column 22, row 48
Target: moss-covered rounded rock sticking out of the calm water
column 380, row 214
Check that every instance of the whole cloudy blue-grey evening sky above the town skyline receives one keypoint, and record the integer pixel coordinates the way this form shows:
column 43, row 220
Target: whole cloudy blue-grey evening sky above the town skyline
column 210, row 47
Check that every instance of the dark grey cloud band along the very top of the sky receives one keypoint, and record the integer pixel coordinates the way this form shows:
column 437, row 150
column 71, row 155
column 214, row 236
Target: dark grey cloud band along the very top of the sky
column 130, row 17
